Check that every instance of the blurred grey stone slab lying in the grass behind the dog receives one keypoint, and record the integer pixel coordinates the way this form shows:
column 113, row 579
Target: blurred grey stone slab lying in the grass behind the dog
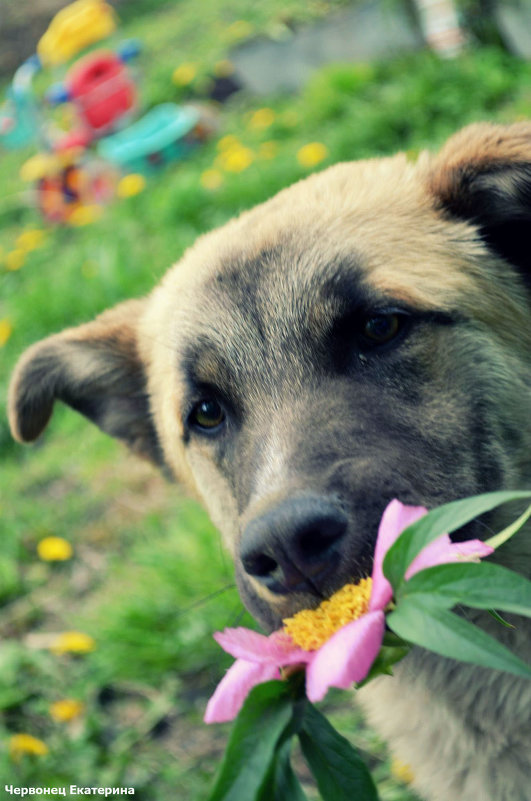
column 362, row 32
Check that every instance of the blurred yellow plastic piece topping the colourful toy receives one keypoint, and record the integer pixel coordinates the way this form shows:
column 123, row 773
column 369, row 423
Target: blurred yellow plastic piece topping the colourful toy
column 75, row 27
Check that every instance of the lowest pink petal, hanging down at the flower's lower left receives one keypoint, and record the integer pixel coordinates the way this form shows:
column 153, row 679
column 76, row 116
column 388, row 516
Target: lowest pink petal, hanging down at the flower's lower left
column 234, row 688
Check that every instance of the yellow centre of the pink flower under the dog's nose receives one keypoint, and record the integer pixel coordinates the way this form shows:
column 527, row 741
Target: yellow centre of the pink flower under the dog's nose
column 311, row 628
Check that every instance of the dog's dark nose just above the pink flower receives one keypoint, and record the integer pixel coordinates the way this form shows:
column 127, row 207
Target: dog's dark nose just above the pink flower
column 295, row 546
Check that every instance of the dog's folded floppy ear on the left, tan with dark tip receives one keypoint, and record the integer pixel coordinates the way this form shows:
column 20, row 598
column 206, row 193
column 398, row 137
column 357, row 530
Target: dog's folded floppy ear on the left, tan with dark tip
column 96, row 369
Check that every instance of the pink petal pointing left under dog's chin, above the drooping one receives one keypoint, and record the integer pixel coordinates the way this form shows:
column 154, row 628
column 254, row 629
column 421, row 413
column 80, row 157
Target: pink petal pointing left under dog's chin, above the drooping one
column 277, row 649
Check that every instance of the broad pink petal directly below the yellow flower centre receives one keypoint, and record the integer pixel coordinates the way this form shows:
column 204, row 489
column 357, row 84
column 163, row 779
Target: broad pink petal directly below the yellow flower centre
column 346, row 657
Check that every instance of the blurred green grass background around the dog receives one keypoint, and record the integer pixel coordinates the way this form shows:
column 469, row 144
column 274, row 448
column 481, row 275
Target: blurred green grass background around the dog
column 148, row 580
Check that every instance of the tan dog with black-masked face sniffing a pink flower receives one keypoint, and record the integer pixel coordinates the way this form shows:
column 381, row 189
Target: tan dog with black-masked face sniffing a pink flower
column 363, row 335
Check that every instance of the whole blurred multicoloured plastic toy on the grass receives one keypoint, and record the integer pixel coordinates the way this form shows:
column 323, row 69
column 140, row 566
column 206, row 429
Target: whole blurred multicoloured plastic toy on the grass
column 103, row 99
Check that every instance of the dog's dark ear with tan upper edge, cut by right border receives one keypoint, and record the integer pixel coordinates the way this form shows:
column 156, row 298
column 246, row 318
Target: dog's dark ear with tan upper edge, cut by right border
column 483, row 174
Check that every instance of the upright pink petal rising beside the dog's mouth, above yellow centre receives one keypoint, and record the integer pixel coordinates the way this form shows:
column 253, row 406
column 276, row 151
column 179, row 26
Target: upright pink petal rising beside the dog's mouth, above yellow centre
column 395, row 519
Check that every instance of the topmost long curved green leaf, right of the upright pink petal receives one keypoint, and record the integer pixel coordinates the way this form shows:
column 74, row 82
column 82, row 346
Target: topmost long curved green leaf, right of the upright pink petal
column 442, row 520
